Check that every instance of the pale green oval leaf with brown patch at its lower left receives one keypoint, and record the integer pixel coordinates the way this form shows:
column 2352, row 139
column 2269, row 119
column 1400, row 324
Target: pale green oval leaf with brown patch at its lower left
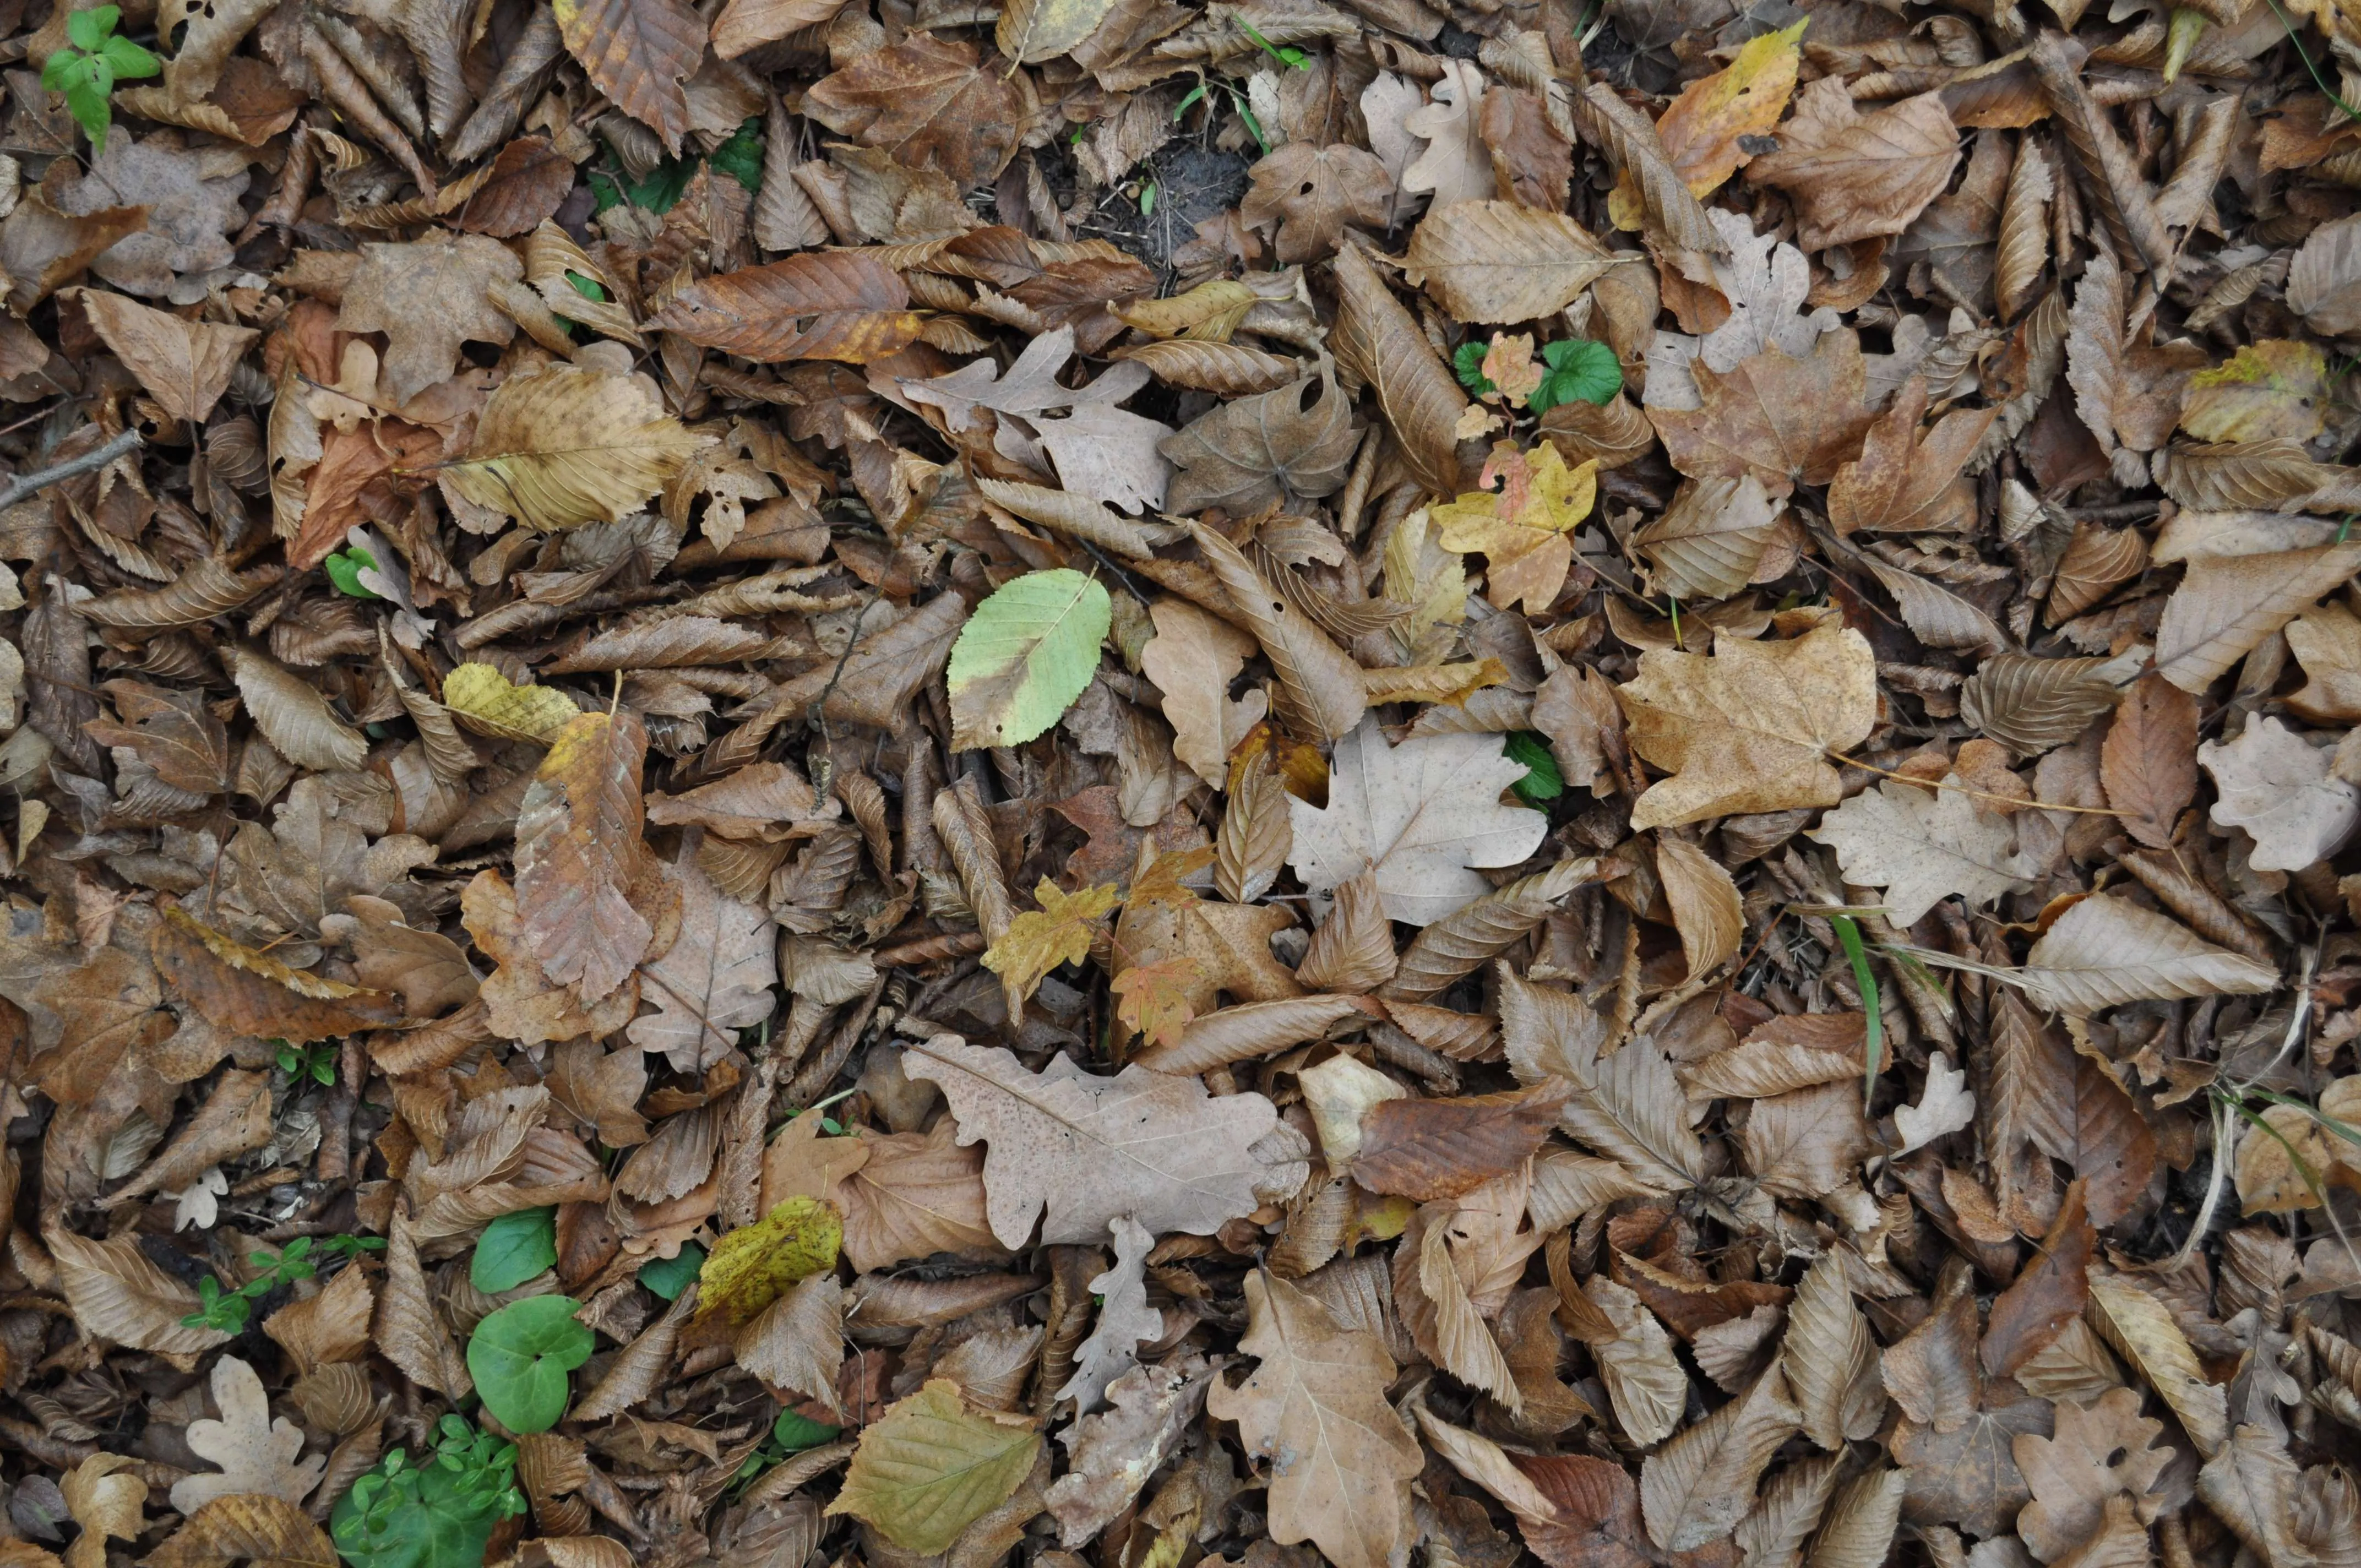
column 1026, row 655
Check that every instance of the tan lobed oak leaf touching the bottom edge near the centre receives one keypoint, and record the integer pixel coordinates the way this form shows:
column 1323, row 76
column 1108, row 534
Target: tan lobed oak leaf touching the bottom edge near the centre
column 1316, row 1409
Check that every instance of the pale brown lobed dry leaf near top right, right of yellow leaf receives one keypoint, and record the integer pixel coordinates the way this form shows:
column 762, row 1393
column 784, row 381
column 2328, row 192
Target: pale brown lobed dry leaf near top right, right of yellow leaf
column 1859, row 176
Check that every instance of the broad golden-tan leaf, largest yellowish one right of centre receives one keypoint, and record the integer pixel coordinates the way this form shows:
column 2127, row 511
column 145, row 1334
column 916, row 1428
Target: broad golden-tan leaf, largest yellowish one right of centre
column 1748, row 729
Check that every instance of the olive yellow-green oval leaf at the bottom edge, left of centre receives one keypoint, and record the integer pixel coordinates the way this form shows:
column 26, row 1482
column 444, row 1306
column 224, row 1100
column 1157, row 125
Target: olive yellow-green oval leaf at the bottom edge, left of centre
column 934, row 1465
